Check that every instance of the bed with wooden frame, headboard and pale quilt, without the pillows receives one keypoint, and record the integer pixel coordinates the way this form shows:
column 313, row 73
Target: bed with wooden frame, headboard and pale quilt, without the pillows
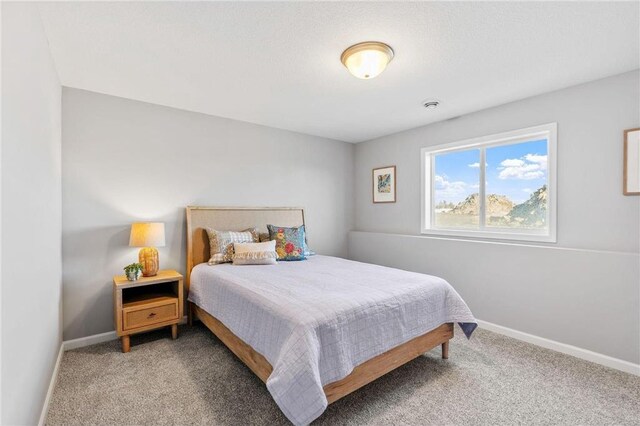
column 315, row 330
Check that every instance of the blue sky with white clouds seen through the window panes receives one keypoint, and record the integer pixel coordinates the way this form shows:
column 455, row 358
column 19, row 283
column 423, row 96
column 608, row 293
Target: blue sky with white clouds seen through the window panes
column 513, row 170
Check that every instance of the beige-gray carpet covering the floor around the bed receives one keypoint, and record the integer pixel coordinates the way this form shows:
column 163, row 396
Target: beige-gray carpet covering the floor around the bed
column 489, row 380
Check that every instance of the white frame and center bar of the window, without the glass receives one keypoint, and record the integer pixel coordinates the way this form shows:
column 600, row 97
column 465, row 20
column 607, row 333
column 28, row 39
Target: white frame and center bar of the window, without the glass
column 427, row 156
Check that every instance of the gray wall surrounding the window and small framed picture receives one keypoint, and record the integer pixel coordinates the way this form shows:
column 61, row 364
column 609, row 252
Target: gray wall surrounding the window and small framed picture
column 584, row 290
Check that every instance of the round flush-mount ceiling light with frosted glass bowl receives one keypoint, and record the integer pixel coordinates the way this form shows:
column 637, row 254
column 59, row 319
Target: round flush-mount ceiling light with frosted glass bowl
column 368, row 59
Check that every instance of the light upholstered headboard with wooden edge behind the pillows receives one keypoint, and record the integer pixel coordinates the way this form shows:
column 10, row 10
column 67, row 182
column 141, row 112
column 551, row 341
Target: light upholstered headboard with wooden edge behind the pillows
column 231, row 219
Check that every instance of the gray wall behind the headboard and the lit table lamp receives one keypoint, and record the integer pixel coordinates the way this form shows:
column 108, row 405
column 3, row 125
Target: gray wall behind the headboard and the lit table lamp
column 126, row 161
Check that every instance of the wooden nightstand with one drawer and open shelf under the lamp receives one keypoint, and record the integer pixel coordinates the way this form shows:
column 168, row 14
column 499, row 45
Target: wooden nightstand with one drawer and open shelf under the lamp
column 147, row 304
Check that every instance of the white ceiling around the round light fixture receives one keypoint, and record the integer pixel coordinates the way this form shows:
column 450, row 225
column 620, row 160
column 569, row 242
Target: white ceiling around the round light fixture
column 278, row 64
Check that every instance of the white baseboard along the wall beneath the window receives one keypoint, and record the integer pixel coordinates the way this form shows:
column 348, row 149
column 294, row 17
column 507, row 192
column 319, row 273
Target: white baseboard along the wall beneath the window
column 607, row 361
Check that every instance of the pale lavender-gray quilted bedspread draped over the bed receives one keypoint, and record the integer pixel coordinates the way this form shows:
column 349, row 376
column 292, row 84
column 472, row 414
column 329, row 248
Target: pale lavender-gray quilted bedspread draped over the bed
column 315, row 320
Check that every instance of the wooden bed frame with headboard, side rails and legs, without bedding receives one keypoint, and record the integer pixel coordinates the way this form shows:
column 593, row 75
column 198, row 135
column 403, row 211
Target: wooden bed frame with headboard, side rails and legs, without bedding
column 238, row 218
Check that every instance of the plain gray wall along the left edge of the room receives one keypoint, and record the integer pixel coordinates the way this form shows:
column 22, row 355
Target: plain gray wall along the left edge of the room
column 31, row 215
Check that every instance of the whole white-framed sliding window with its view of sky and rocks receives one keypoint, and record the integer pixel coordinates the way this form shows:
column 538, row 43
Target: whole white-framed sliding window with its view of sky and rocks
column 500, row 186
